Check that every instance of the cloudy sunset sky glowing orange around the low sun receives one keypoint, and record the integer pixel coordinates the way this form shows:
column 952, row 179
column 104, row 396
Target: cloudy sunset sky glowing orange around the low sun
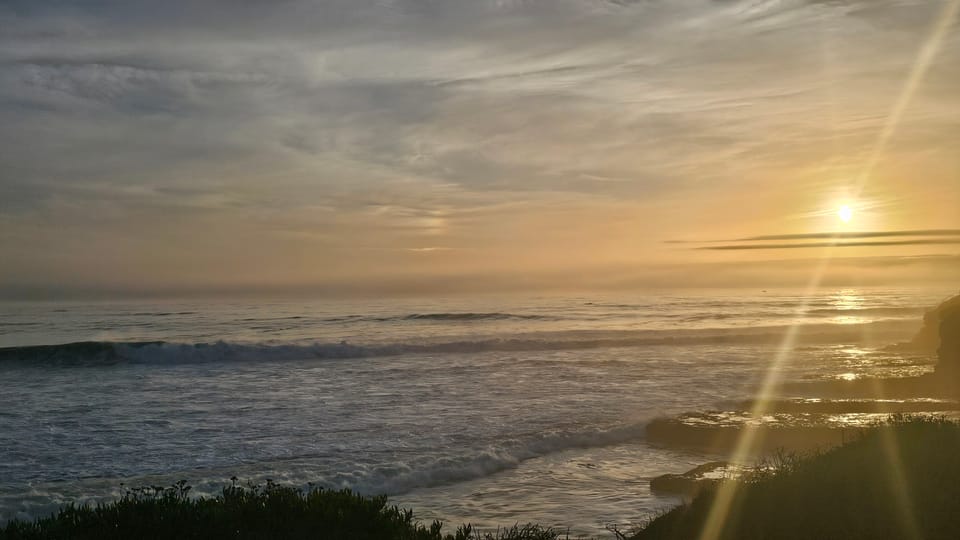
column 355, row 147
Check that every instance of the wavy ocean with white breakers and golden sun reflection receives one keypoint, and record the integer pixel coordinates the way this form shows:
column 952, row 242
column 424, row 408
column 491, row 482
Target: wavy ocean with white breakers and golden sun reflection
column 486, row 410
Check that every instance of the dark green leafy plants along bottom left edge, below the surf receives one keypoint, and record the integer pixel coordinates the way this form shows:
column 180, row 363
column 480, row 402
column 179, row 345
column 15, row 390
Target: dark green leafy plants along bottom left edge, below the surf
column 248, row 512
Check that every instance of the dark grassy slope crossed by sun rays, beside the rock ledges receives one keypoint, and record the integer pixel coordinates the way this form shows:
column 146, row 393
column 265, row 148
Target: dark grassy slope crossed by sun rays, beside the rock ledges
column 900, row 480
